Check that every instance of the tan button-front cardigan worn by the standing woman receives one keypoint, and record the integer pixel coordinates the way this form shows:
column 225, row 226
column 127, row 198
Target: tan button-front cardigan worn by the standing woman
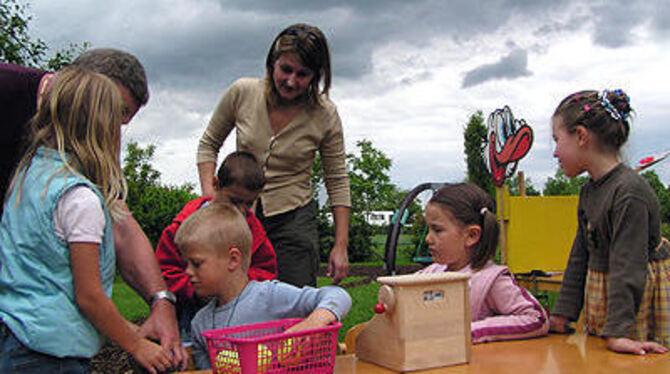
column 288, row 155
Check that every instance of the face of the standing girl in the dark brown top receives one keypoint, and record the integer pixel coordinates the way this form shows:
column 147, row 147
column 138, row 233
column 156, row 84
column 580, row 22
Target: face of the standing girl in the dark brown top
column 568, row 150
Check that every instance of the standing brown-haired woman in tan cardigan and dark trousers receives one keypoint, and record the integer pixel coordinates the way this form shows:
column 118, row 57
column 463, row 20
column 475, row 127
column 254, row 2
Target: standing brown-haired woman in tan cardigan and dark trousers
column 284, row 120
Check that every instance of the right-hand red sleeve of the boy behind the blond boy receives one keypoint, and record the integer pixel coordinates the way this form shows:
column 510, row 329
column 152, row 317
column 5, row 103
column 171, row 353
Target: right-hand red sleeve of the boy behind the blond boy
column 263, row 256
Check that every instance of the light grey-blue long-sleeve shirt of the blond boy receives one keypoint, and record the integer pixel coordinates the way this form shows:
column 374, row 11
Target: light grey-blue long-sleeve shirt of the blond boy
column 262, row 302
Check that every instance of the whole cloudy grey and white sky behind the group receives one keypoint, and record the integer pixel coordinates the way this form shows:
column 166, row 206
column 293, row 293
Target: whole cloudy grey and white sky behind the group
column 407, row 74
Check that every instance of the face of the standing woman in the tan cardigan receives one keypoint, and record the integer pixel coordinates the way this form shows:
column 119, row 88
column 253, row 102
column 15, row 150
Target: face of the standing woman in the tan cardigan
column 291, row 77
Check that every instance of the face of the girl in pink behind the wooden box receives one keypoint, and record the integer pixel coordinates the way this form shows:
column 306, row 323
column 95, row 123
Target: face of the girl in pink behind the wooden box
column 447, row 238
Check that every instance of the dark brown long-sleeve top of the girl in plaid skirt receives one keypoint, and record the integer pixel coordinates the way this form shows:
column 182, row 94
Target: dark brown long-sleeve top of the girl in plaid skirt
column 617, row 233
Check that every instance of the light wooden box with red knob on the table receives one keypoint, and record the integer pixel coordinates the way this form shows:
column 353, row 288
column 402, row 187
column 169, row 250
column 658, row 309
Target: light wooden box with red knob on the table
column 422, row 321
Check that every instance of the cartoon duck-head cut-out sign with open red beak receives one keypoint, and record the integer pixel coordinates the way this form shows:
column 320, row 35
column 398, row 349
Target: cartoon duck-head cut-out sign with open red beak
column 508, row 141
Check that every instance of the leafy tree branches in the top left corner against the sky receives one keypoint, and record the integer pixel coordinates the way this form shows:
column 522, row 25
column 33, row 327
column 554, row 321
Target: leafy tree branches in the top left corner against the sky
column 18, row 47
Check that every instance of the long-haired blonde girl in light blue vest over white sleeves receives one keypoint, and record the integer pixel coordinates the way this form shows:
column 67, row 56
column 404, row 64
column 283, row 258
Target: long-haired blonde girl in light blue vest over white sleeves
column 56, row 241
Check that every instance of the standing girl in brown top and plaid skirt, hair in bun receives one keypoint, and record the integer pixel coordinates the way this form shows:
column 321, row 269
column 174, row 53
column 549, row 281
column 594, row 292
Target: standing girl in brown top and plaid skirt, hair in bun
column 619, row 266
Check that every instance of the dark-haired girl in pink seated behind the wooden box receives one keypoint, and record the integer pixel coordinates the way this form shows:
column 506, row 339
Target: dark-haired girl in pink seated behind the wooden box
column 462, row 236
